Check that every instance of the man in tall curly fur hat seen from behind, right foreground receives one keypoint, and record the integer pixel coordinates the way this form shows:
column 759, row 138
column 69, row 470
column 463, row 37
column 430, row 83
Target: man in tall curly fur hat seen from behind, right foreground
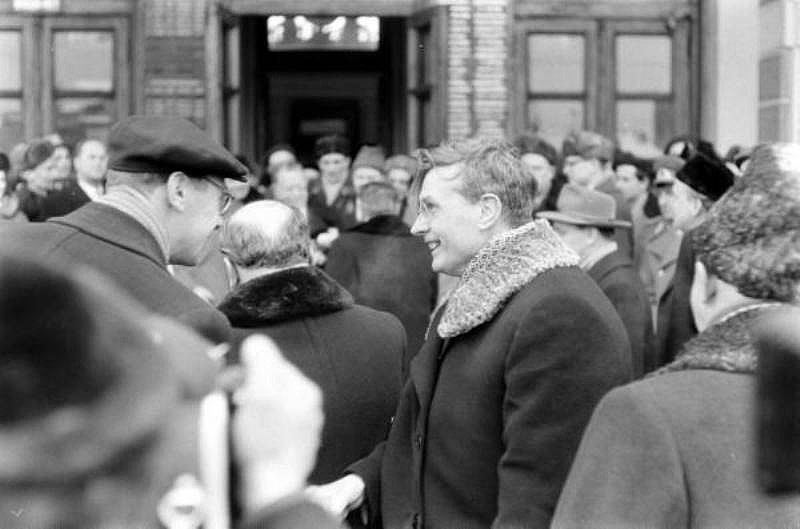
column 678, row 449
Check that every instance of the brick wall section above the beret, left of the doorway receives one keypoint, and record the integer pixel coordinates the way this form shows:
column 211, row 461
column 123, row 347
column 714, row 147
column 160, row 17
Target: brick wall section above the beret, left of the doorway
column 175, row 59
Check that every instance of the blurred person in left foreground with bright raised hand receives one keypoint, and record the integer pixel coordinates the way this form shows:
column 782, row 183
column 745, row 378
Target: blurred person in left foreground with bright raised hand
column 96, row 423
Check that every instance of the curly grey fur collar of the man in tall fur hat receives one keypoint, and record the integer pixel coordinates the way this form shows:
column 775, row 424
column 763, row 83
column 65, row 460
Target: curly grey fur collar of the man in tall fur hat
column 723, row 346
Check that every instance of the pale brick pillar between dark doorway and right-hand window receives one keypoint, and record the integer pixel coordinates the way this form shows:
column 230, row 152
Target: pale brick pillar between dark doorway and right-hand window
column 478, row 42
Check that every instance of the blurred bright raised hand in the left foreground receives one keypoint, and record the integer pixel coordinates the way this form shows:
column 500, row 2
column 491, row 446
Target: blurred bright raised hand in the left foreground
column 277, row 425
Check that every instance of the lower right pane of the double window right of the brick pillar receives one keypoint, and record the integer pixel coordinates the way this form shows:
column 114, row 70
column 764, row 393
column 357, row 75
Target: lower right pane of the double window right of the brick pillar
column 644, row 127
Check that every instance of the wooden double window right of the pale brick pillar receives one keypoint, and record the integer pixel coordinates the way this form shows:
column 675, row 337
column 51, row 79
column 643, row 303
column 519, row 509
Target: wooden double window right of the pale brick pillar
column 627, row 79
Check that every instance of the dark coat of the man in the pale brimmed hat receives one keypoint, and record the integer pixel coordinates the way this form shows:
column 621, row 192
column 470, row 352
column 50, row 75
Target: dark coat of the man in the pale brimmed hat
column 618, row 280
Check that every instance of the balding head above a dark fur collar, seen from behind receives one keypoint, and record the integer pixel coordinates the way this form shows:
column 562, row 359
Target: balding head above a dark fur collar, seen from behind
column 267, row 234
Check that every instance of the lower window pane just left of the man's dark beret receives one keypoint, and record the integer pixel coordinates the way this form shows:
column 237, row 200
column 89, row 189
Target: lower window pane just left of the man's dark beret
column 85, row 117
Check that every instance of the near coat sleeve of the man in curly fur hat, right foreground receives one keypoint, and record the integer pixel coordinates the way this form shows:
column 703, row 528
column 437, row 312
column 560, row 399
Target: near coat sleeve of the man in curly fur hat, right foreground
column 627, row 472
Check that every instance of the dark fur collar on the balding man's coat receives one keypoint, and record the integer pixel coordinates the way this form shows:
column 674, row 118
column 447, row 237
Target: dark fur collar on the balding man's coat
column 284, row 295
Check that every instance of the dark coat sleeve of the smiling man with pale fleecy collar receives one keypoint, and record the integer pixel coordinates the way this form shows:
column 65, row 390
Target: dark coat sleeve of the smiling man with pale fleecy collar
column 565, row 355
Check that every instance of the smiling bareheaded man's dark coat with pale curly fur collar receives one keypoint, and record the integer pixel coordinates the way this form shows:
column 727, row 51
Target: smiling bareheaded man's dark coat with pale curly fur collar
column 500, row 393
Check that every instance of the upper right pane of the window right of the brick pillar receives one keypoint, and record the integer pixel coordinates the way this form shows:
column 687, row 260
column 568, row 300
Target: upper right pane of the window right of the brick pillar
column 644, row 64
